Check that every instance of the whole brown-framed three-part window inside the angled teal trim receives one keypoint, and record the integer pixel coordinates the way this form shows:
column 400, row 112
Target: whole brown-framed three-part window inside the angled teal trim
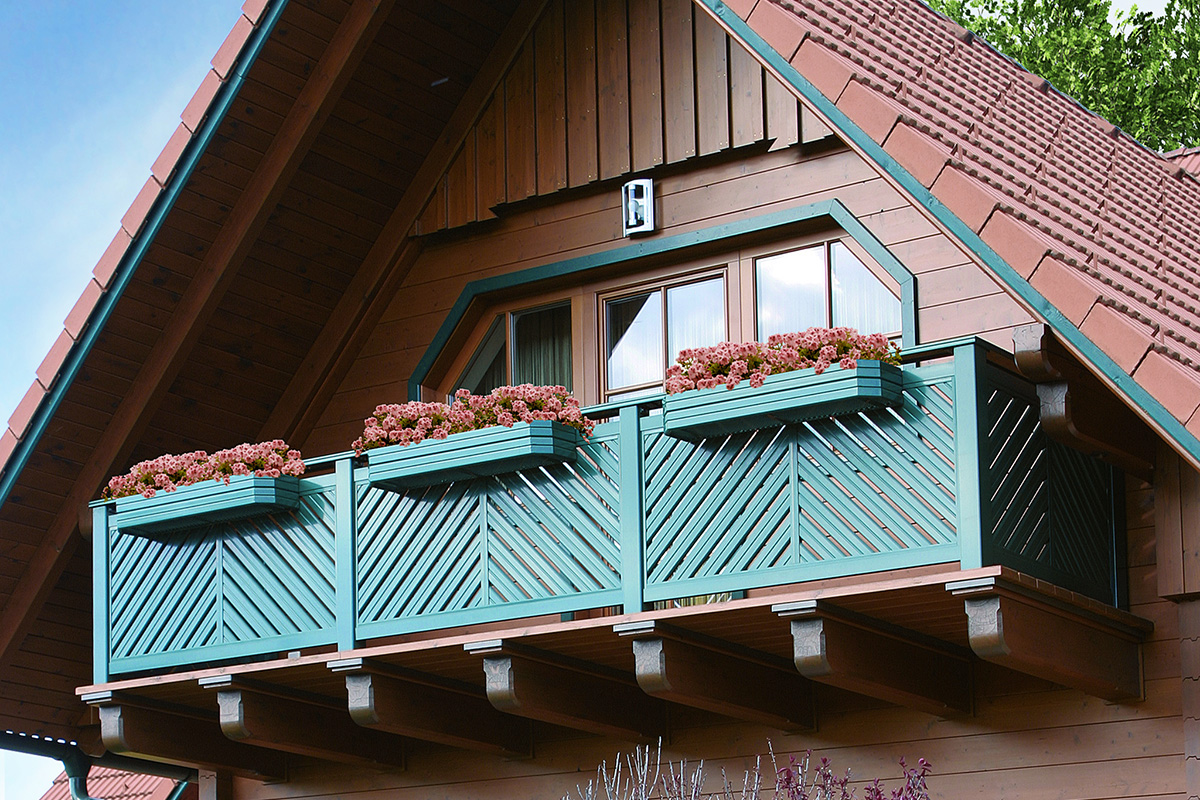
column 613, row 336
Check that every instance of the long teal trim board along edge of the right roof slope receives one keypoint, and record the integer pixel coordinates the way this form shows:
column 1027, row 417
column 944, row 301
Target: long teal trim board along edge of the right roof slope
column 1159, row 414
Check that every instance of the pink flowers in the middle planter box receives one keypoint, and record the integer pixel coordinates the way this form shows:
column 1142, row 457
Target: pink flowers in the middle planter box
column 406, row 424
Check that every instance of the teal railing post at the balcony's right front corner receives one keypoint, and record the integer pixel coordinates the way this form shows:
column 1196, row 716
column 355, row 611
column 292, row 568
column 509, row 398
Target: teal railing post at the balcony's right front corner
column 970, row 408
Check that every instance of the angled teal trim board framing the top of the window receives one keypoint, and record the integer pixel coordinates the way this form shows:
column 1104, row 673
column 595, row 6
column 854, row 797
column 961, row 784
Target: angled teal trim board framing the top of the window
column 728, row 234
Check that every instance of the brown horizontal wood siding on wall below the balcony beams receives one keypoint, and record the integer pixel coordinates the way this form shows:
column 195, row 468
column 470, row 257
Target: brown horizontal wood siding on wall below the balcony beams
column 1028, row 741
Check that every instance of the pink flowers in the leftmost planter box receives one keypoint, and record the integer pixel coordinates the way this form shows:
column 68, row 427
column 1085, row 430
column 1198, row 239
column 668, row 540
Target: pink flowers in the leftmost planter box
column 169, row 473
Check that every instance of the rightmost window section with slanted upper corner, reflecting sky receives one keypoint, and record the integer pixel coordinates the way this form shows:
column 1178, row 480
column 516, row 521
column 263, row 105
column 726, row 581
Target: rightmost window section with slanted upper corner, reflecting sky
column 820, row 286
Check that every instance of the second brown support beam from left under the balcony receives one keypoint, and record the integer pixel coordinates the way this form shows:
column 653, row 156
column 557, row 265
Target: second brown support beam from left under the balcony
column 307, row 726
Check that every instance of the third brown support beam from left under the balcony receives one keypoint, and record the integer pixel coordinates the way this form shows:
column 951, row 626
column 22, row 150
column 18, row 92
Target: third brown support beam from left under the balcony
column 423, row 707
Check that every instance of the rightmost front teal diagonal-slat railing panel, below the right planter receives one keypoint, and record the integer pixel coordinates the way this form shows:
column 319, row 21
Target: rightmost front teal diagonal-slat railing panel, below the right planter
column 869, row 484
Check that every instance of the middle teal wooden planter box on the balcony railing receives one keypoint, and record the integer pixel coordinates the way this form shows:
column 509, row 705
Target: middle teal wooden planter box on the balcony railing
column 475, row 454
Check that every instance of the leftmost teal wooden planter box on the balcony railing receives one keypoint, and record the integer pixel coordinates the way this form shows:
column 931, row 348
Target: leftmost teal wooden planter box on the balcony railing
column 206, row 503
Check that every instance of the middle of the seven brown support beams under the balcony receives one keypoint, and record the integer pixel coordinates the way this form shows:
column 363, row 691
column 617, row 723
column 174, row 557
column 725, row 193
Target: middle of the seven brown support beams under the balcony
column 544, row 687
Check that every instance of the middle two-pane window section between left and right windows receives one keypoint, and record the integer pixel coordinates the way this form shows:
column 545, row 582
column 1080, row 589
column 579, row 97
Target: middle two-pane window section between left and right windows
column 645, row 332
